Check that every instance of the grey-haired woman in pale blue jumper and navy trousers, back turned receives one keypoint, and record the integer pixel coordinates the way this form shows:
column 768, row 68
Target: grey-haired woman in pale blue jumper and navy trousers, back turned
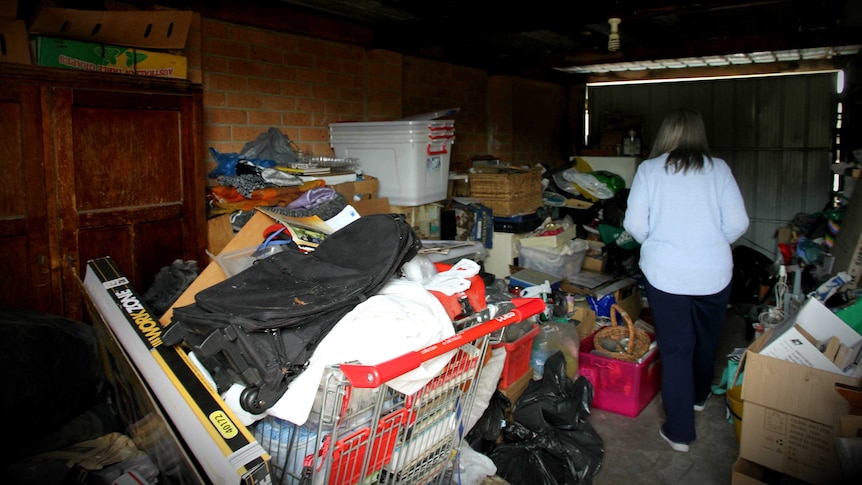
column 685, row 209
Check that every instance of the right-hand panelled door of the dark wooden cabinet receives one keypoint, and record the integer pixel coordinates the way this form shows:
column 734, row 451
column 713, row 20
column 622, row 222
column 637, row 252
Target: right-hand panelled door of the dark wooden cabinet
column 129, row 184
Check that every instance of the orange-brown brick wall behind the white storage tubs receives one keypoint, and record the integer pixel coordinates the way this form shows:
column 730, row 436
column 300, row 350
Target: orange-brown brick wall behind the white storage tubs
column 254, row 79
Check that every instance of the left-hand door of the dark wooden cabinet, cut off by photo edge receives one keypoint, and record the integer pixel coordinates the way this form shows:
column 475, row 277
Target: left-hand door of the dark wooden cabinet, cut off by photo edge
column 25, row 225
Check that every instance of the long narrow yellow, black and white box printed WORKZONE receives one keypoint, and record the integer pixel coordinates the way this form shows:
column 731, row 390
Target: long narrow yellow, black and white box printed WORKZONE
column 225, row 449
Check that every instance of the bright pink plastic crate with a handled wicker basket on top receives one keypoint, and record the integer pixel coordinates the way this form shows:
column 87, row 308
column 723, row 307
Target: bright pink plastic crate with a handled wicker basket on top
column 620, row 387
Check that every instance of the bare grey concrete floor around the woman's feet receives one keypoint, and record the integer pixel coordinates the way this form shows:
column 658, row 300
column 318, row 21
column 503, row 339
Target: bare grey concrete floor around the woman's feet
column 636, row 454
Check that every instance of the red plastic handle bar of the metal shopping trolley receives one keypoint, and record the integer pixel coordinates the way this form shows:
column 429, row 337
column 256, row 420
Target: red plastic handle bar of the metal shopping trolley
column 370, row 376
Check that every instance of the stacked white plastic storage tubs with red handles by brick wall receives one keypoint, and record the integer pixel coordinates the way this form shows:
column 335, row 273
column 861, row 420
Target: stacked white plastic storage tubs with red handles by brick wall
column 409, row 158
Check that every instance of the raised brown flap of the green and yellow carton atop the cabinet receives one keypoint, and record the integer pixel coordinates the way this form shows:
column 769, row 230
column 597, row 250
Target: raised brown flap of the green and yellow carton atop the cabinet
column 152, row 29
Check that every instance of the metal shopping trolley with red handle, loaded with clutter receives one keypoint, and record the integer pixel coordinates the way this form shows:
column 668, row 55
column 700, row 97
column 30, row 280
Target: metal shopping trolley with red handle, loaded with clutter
column 361, row 430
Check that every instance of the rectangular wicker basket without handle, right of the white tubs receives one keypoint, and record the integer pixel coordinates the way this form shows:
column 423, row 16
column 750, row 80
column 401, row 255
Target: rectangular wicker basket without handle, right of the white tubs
column 508, row 191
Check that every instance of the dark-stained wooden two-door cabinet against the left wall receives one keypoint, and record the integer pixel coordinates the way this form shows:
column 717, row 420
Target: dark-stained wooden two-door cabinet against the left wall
column 95, row 165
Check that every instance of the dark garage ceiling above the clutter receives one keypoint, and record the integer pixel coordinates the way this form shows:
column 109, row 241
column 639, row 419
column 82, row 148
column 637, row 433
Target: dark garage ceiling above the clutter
column 559, row 38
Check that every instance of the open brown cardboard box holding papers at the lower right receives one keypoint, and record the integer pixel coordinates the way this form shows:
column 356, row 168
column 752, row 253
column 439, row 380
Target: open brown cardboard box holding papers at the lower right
column 792, row 417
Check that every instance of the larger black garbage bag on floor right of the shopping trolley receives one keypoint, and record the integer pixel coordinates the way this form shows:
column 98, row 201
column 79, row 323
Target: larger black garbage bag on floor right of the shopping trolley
column 550, row 441
